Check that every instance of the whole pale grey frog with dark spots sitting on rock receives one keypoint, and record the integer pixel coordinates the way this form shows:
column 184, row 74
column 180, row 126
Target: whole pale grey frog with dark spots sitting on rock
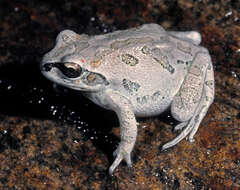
column 137, row 72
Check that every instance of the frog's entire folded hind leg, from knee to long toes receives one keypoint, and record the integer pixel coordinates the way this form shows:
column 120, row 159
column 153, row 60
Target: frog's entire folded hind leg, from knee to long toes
column 190, row 105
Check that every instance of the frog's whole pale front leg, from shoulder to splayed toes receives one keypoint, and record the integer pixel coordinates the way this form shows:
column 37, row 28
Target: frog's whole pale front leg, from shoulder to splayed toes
column 128, row 127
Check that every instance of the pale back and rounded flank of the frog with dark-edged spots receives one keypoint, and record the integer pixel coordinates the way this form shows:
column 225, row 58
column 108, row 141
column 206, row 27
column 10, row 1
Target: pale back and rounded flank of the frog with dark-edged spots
column 145, row 64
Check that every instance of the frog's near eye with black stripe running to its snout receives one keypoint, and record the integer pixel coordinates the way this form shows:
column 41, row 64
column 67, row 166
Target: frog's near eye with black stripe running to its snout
column 69, row 69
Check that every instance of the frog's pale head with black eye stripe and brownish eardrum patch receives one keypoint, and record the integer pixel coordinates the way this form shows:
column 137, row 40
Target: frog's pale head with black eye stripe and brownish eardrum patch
column 65, row 66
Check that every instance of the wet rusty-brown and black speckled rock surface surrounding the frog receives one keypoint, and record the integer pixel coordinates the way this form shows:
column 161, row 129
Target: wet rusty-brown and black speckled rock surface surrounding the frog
column 52, row 140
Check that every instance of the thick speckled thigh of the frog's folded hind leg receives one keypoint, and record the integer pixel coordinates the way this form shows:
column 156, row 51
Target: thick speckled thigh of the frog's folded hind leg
column 188, row 98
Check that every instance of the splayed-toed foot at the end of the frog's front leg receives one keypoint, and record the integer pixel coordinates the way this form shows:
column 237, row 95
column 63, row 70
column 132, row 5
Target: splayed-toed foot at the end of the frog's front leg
column 123, row 152
